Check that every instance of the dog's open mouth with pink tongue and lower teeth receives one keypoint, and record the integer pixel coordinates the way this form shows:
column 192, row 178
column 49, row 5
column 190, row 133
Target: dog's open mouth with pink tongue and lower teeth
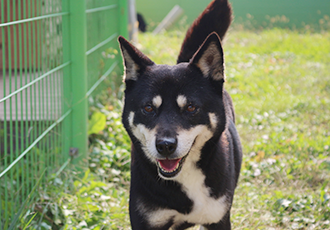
column 169, row 168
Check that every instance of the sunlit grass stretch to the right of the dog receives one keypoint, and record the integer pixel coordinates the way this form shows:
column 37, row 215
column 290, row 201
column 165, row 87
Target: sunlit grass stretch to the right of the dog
column 280, row 84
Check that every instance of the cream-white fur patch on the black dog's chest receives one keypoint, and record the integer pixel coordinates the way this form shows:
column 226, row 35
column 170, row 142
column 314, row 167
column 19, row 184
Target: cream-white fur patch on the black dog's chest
column 206, row 209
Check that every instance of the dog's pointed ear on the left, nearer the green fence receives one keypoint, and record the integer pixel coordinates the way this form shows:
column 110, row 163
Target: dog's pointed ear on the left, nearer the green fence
column 135, row 62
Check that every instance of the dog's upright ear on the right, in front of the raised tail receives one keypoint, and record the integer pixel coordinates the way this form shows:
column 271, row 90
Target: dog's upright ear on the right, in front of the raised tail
column 209, row 58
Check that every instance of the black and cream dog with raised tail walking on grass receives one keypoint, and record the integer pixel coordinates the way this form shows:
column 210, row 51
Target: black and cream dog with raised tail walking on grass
column 186, row 153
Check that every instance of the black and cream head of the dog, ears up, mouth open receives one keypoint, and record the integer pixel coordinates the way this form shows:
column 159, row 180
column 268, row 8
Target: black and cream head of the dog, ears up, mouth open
column 172, row 111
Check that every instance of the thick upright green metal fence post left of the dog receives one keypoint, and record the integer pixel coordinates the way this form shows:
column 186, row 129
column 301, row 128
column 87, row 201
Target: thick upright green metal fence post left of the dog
column 78, row 75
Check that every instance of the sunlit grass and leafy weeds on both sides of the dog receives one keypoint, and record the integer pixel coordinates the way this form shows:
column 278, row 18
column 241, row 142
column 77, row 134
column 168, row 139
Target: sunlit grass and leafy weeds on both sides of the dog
column 280, row 84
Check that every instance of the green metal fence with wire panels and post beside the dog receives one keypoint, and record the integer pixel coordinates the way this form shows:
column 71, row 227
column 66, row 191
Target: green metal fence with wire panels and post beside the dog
column 53, row 55
